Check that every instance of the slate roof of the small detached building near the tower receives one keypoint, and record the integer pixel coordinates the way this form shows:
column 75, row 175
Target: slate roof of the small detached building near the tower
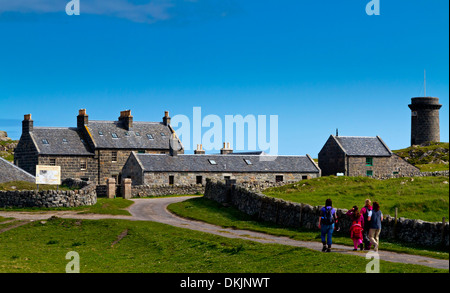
column 363, row 146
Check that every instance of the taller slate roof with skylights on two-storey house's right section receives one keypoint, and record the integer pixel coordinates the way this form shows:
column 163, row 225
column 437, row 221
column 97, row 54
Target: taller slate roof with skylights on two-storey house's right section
column 101, row 132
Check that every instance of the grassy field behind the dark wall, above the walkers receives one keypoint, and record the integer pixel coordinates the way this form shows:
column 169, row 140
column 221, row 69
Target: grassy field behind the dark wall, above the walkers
column 425, row 198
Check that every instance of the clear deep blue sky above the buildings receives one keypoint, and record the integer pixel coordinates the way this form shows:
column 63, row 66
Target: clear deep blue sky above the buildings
column 318, row 65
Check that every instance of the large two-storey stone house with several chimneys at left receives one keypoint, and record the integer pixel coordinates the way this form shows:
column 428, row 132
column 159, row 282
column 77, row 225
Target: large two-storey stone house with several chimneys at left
column 93, row 150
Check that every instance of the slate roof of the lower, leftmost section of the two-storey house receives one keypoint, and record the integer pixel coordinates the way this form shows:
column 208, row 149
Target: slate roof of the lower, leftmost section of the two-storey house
column 61, row 141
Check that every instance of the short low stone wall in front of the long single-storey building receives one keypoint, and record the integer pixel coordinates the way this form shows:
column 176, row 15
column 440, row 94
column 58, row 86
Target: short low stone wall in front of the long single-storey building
column 149, row 190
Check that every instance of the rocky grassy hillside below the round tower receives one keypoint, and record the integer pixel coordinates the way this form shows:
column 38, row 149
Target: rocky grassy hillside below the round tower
column 431, row 156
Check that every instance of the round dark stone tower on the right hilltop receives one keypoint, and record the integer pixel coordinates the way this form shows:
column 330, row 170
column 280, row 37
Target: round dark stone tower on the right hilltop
column 424, row 120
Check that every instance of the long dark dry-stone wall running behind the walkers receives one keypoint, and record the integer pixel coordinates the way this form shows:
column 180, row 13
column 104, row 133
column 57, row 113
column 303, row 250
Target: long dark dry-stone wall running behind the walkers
column 298, row 215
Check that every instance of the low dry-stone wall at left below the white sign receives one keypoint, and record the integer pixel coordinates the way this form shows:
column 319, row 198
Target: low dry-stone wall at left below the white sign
column 50, row 198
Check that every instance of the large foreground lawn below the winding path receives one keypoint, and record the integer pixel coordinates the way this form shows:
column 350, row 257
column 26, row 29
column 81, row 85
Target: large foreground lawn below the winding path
column 149, row 247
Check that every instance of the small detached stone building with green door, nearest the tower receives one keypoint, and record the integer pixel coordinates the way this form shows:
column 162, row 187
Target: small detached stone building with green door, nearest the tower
column 362, row 156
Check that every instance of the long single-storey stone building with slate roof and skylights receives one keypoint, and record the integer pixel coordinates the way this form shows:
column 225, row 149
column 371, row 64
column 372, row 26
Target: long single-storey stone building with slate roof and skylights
column 191, row 169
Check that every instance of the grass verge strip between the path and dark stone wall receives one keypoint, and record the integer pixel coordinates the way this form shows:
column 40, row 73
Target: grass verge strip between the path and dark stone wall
column 209, row 211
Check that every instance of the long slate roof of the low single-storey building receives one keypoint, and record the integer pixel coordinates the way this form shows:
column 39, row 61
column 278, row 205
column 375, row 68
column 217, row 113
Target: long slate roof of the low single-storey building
column 226, row 163
